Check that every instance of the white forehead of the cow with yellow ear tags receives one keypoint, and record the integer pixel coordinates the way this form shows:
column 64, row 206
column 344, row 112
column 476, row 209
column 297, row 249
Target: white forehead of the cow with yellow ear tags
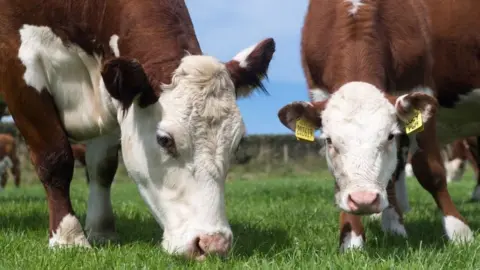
column 358, row 111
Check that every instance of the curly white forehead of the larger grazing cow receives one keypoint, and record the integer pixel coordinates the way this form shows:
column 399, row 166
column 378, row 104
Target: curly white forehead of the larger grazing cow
column 201, row 99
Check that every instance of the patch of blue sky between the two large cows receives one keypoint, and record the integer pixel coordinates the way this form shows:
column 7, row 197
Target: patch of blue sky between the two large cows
column 226, row 27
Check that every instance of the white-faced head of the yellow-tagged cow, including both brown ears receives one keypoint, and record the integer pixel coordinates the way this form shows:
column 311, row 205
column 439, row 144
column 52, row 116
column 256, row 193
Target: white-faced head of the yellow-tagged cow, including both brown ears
column 359, row 124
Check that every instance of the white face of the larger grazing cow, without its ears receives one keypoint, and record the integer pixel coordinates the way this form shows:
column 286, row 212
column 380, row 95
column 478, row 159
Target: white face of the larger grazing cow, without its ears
column 178, row 151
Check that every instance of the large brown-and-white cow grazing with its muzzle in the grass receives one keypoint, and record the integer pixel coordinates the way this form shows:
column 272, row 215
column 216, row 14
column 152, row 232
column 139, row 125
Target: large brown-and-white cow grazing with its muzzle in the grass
column 129, row 72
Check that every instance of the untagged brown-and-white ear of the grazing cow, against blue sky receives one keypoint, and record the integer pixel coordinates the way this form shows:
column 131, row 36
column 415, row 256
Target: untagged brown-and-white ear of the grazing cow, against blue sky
column 248, row 68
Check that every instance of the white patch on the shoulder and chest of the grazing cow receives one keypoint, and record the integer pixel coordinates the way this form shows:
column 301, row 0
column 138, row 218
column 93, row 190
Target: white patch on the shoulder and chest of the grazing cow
column 72, row 77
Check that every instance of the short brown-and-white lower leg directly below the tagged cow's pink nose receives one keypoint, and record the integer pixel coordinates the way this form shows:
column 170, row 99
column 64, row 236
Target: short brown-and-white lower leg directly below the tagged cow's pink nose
column 352, row 233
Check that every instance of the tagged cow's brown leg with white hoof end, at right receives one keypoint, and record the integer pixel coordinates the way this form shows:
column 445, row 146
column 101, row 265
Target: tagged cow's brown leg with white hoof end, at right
column 430, row 172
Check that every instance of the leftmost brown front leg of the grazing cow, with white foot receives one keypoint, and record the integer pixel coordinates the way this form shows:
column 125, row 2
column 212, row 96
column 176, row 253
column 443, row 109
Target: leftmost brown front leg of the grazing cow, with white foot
column 50, row 154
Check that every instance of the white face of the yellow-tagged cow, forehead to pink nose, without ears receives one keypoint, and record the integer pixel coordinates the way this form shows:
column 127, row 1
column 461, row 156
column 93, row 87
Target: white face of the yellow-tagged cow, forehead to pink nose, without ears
column 357, row 123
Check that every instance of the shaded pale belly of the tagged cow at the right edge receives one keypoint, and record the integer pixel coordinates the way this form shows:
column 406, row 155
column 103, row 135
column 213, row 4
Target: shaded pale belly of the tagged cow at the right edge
column 461, row 121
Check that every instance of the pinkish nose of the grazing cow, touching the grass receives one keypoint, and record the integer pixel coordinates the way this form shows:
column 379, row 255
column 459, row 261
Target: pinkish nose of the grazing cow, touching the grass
column 211, row 244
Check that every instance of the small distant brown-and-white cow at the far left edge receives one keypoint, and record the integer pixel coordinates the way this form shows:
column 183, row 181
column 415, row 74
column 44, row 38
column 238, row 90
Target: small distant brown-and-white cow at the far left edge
column 8, row 154
